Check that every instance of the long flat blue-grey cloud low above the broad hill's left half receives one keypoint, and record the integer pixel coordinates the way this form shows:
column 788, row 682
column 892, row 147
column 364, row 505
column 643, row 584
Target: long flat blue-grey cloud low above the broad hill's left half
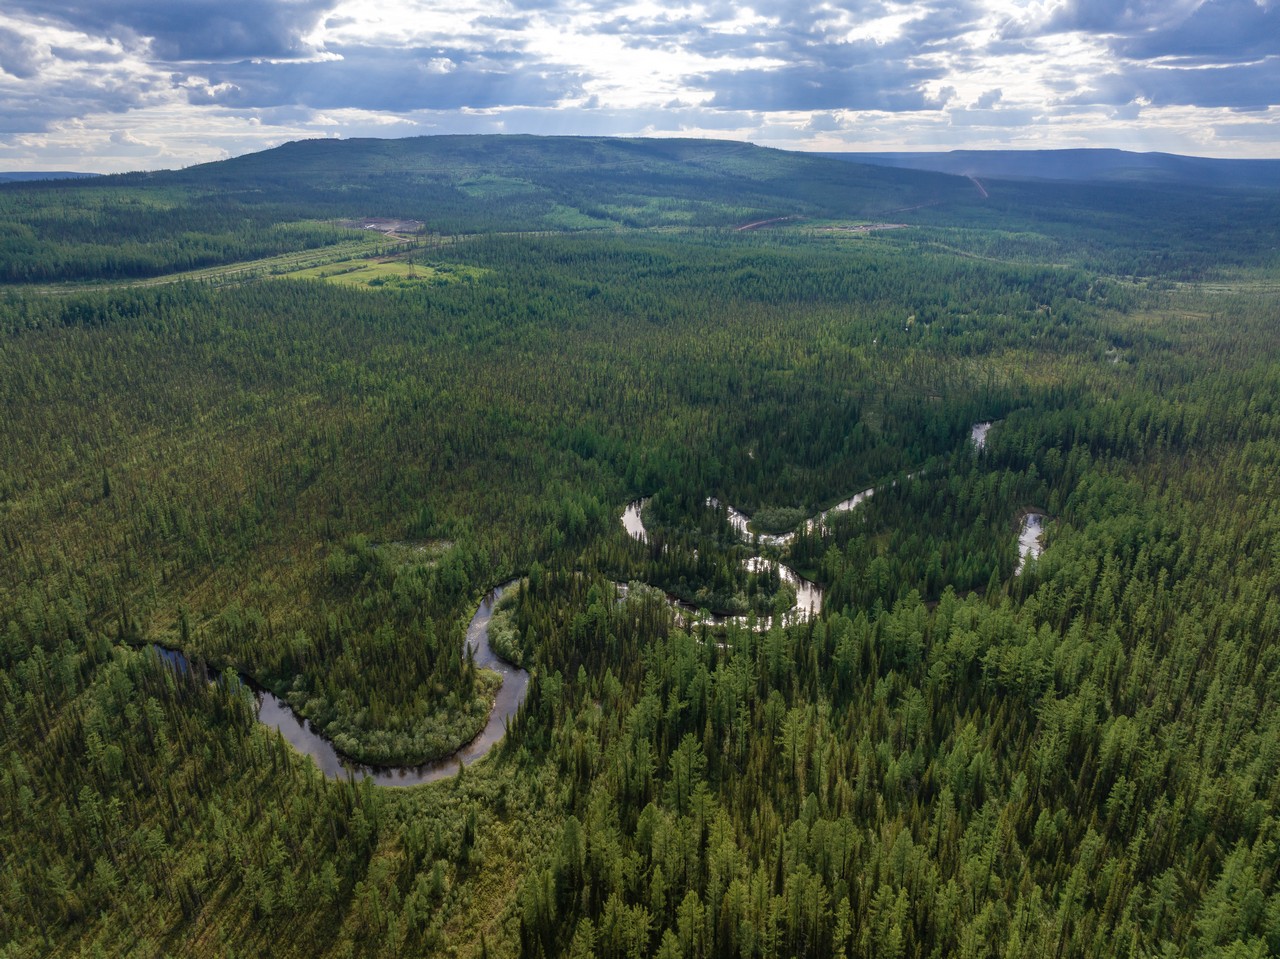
column 391, row 81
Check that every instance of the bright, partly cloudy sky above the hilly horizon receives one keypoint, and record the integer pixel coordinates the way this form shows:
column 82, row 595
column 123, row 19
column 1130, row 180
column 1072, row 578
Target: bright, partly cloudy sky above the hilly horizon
column 129, row 85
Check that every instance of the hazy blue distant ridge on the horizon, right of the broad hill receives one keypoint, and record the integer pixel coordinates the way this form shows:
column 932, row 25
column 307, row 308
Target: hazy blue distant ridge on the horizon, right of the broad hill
column 1082, row 166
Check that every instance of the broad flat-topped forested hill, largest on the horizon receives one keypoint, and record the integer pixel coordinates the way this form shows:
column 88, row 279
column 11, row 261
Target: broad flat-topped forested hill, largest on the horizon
column 467, row 184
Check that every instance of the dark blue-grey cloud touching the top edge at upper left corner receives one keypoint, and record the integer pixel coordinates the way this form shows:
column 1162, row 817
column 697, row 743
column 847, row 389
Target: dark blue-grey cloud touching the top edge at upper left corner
column 191, row 30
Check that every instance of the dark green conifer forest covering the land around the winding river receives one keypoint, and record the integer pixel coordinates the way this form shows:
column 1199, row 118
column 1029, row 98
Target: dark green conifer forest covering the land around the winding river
column 308, row 487
